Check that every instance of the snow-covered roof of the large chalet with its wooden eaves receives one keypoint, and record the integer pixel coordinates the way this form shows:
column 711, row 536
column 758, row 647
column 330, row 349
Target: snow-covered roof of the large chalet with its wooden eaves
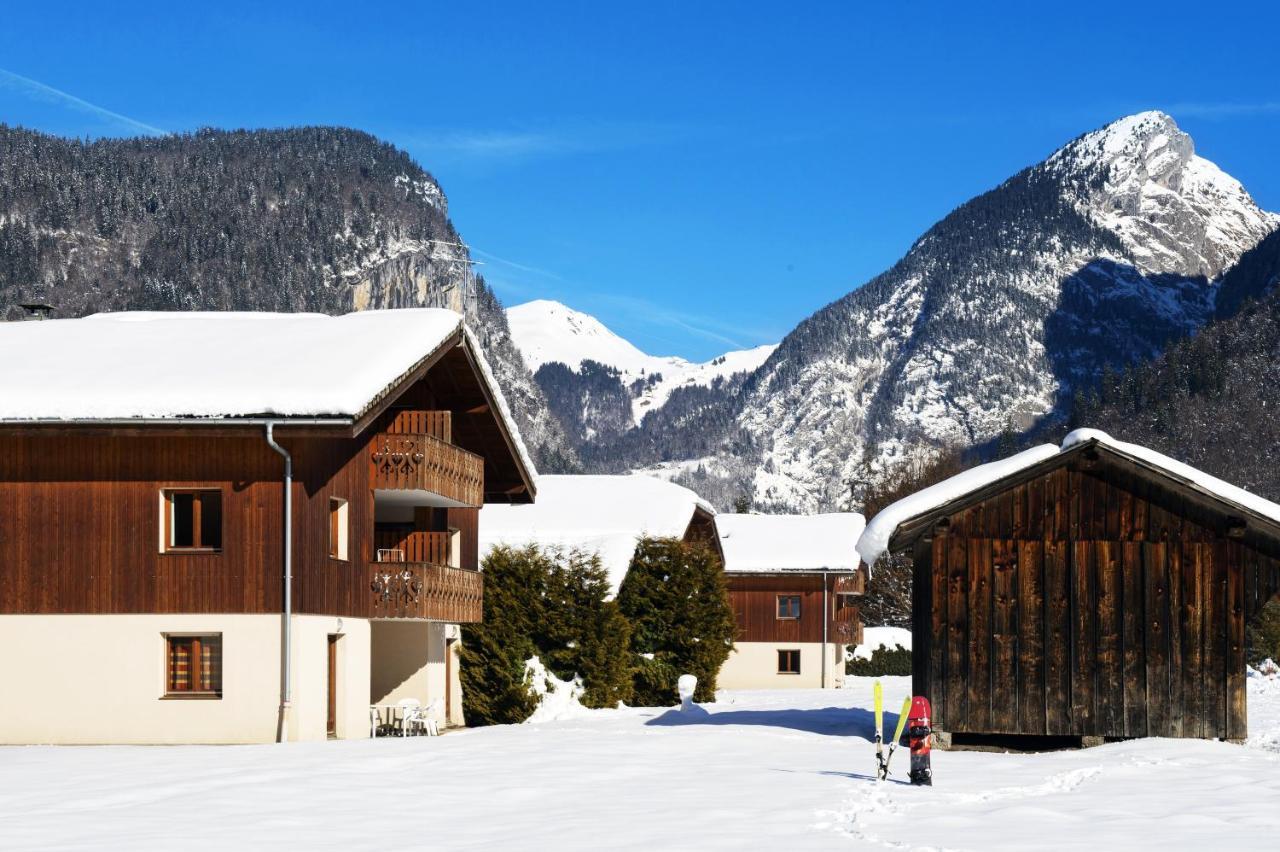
column 309, row 374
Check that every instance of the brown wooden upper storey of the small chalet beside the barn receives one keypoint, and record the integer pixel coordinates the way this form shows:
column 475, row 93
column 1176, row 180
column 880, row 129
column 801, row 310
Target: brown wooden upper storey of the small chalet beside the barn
column 755, row 598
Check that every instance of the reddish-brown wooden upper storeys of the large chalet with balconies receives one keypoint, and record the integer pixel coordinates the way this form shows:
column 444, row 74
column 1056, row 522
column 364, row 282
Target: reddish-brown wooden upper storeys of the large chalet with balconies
column 81, row 510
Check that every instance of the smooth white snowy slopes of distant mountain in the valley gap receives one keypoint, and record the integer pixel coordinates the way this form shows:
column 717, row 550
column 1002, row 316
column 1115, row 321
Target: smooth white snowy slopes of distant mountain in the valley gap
column 548, row 332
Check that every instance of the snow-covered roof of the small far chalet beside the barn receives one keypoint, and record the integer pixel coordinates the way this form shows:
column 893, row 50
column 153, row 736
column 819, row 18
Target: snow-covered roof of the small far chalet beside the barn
column 779, row 543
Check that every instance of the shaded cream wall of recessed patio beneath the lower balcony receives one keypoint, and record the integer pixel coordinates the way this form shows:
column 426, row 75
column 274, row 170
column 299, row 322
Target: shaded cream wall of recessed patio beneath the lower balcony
column 409, row 663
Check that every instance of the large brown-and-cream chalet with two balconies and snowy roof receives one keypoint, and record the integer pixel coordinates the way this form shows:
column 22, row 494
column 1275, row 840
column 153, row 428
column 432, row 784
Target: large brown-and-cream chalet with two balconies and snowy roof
column 241, row 528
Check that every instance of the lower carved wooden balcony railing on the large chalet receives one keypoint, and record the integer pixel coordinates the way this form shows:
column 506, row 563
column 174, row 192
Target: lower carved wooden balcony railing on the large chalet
column 423, row 590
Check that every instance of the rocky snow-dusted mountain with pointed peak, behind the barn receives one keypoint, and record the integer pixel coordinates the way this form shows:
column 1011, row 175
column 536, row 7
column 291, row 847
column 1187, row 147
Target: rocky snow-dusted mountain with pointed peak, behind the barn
column 1096, row 258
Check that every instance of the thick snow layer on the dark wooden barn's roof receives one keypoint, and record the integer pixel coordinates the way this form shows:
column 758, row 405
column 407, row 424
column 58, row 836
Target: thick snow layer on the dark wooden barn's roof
column 875, row 540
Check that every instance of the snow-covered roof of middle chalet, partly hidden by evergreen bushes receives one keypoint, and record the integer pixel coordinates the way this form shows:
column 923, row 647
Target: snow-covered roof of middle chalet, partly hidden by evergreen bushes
column 604, row 515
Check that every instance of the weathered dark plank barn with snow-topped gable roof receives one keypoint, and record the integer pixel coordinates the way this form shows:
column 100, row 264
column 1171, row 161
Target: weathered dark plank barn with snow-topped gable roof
column 1094, row 592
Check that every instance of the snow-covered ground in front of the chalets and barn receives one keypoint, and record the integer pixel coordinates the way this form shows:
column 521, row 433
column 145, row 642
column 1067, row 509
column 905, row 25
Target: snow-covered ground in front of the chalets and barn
column 781, row 769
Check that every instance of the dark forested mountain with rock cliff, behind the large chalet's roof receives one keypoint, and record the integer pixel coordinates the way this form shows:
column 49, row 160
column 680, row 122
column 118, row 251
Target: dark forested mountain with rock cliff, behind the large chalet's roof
column 308, row 219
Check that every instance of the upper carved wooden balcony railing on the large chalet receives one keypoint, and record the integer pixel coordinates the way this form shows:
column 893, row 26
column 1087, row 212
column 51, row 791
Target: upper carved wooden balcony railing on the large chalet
column 426, row 464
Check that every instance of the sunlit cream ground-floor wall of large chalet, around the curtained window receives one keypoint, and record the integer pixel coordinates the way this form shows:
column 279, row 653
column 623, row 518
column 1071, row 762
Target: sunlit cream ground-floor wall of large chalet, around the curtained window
column 102, row 680
